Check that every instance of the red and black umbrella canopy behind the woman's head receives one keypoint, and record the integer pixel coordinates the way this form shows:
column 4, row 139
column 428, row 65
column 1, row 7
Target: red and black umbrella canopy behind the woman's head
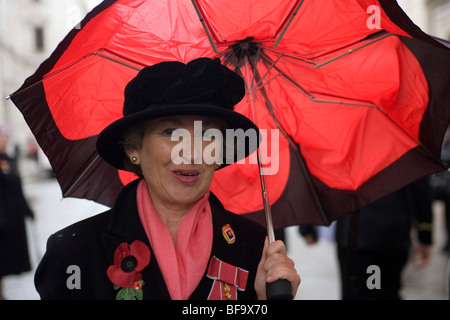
column 352, row 97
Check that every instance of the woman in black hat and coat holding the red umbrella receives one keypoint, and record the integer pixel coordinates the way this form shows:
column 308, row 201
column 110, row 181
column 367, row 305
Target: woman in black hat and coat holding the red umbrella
column 167, row 236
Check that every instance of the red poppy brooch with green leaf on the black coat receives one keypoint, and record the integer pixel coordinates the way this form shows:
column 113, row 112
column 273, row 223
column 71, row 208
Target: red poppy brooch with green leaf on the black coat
column 125, row 273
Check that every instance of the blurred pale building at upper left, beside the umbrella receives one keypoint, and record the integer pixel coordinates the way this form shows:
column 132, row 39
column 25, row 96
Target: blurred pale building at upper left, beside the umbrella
column 29, row 32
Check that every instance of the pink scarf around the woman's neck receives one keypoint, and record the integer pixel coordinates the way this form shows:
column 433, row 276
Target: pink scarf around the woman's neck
column 182, row 266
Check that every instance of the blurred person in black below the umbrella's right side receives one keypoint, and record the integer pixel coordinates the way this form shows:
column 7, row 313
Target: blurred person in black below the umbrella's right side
column 377, row 239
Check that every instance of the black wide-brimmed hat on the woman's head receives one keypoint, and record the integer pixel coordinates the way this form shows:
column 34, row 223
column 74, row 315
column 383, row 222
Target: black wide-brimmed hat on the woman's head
column 202, row 87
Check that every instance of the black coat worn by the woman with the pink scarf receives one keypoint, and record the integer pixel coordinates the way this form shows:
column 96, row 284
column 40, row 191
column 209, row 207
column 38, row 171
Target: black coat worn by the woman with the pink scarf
column 90, row 245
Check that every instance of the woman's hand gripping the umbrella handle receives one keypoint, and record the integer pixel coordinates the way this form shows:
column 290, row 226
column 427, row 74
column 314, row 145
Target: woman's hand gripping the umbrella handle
column 275, row 265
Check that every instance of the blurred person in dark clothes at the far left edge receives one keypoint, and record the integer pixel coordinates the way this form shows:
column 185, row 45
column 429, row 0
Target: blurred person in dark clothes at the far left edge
column 13, row 210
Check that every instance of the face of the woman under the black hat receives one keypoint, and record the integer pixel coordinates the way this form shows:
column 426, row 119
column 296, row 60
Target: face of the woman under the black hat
column 169, row 183
